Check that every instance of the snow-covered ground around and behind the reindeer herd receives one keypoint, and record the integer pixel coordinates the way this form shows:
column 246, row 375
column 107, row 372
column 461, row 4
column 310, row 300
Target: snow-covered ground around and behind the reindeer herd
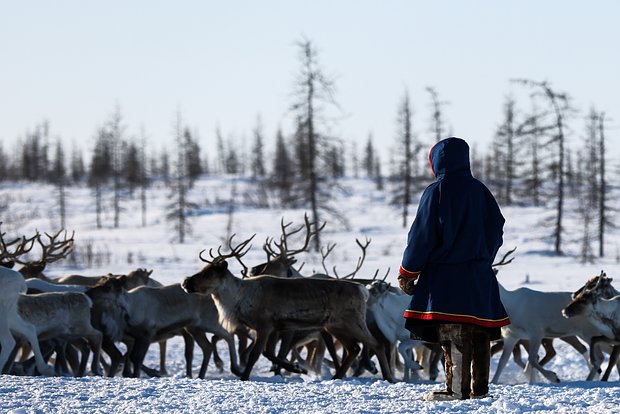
column 24, row 208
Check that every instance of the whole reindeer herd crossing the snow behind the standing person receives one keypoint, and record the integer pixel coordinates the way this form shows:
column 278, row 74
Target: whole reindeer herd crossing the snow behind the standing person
column 301, row 323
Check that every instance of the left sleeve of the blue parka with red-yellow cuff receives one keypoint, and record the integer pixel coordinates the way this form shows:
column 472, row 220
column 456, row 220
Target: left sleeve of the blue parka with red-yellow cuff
column 424, row 234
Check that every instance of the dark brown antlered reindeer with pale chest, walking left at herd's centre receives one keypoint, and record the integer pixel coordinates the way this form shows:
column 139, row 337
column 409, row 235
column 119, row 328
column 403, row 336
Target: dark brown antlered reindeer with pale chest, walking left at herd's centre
column 267, row 304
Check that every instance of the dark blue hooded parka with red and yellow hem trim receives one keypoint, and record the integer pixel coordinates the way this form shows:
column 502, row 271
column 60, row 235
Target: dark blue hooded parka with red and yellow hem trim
column 452, row 243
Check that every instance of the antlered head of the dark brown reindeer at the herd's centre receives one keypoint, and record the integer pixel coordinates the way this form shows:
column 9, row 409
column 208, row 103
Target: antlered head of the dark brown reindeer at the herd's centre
column 216, row 270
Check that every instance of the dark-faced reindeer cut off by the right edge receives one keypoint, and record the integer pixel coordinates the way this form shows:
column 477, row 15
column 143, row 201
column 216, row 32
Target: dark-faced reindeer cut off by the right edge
column 599, row 302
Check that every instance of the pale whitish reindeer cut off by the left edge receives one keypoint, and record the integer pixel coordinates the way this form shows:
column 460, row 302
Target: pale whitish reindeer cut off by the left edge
column 11, row 323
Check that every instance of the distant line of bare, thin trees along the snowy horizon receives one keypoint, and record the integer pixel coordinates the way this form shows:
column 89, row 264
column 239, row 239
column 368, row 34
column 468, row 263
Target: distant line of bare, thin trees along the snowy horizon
column 528, row 161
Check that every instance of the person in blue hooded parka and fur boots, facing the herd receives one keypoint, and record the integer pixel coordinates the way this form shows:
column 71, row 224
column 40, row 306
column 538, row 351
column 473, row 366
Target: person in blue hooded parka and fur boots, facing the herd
column 446, row 267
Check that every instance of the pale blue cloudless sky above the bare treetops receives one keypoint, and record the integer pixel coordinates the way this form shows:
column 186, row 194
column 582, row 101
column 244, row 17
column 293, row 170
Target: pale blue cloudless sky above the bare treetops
column 226, row 62
